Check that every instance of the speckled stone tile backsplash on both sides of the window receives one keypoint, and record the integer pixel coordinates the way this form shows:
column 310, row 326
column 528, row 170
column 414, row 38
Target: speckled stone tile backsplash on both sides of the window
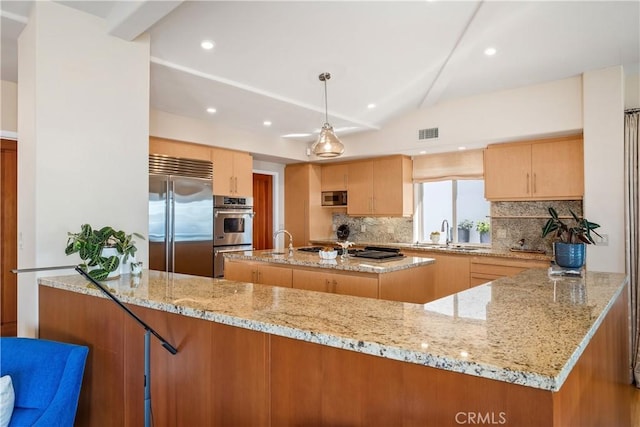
column 510, row 222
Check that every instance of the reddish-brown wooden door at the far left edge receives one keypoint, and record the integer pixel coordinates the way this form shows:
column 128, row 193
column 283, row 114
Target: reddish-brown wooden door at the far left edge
column 8, row 237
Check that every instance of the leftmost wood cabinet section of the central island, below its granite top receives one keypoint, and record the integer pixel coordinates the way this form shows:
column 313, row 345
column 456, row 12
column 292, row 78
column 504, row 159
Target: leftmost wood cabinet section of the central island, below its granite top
column 257, row 272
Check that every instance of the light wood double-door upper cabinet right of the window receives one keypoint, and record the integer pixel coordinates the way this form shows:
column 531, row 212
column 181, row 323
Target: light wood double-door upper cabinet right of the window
column 550, row 169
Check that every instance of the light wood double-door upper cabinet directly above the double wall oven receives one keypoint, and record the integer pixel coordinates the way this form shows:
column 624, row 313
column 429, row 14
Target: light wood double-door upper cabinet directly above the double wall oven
column 232, row 173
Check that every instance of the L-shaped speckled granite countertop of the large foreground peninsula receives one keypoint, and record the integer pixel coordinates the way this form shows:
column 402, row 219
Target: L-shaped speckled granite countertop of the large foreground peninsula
column 529, row 329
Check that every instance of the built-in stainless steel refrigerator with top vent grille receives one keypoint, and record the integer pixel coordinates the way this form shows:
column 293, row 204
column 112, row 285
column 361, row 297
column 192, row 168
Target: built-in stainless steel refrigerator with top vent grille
column 180, row 215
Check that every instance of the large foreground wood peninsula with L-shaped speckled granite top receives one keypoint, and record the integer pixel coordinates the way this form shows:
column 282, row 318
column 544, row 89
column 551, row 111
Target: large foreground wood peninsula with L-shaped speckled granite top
column 526, row 350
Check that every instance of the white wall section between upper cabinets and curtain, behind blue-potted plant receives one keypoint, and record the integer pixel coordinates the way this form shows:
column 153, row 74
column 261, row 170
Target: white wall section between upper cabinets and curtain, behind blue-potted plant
column 604, row 165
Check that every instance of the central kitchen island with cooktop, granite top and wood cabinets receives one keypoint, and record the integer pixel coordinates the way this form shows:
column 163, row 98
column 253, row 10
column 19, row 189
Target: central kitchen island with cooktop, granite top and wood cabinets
column 397, row 278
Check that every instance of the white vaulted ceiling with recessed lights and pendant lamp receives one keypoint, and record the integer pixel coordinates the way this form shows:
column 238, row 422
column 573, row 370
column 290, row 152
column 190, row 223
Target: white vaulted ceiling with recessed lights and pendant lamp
column 400, row 56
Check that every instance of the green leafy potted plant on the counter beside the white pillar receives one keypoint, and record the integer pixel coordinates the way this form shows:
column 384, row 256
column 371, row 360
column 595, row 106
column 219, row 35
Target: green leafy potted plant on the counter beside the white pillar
column 102, row 250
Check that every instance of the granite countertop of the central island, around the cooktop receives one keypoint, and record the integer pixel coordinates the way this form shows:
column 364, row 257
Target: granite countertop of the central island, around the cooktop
column 312, row 259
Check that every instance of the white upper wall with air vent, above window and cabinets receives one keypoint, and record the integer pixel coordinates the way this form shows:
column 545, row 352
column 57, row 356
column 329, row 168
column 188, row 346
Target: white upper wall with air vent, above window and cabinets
column 553, row 108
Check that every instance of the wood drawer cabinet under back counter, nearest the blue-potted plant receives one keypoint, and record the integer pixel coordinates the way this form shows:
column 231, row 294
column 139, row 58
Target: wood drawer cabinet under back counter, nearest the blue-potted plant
column 485, row 269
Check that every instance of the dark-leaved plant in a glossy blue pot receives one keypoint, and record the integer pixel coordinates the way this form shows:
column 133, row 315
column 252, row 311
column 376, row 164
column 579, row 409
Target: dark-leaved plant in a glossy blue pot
column 570, row 245
